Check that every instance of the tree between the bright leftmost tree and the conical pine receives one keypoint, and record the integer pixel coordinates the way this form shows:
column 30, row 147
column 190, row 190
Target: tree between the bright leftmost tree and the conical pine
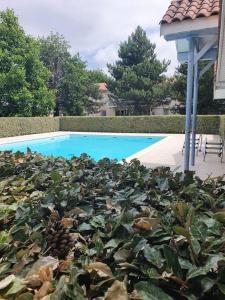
column 75, row 86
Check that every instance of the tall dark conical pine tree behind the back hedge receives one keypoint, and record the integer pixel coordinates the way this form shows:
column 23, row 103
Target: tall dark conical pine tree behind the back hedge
column 137, row 71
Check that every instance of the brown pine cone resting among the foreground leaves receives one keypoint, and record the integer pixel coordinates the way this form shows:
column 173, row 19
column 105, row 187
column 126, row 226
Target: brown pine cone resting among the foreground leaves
column 59, row 240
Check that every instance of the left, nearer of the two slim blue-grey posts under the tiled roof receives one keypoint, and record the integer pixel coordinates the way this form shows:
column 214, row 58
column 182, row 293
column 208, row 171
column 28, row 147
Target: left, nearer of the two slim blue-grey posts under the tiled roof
column 189, row 103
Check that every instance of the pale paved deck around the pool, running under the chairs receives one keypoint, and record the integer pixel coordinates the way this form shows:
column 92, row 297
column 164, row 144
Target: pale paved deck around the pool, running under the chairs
column 167, row 152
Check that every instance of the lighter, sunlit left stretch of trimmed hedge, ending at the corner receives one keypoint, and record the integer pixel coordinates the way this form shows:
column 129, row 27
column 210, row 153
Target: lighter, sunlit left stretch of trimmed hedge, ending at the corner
column 21, row 125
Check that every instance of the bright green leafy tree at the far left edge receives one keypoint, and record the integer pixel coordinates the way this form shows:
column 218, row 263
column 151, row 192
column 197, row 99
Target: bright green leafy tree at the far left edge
column 23, row 77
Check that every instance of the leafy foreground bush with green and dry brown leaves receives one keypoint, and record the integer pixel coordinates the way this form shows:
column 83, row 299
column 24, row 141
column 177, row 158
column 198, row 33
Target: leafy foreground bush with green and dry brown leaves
column 77, row 229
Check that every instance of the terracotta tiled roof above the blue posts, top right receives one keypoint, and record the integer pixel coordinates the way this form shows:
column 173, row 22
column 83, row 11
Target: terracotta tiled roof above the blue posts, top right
column 180, row 10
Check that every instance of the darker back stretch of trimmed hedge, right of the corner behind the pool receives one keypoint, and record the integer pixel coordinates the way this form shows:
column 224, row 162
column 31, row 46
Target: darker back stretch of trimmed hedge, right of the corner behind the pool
column 140, row 124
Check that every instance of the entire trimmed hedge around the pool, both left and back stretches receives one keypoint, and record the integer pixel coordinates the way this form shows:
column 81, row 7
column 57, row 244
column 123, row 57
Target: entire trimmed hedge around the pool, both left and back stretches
column 140, row 124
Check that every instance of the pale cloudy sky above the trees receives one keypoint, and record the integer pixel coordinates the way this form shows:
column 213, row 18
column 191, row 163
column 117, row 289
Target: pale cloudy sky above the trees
column 95, row 28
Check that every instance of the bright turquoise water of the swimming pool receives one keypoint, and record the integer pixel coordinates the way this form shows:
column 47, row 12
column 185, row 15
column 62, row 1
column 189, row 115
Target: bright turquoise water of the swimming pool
column 96, row 146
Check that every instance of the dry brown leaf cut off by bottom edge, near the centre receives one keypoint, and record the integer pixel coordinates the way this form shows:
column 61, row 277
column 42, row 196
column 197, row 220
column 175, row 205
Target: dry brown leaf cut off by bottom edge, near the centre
column 117, row 291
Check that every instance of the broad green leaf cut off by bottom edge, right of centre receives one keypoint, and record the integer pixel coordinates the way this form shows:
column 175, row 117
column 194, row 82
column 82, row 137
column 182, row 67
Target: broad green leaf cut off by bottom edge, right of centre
column 149, row 291
